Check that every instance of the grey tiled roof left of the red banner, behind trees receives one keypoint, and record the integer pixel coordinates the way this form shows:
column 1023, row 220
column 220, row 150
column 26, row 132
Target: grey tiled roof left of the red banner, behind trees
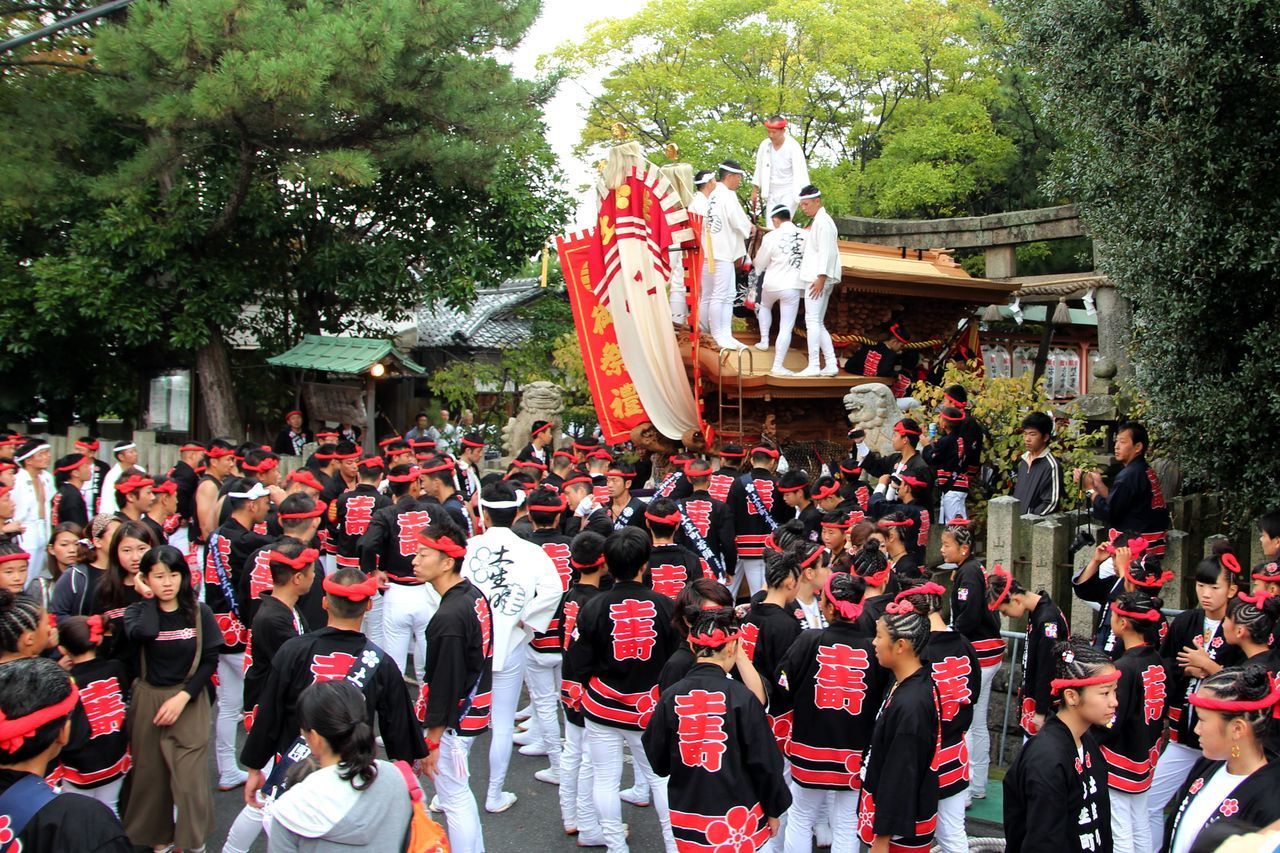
column 487, row 325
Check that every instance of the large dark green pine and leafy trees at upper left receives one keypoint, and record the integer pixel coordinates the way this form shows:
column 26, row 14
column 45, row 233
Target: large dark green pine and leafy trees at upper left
column 260, row 171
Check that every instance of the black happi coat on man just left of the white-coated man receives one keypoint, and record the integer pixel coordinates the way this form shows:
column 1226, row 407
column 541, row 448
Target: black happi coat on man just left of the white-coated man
column 459, row 679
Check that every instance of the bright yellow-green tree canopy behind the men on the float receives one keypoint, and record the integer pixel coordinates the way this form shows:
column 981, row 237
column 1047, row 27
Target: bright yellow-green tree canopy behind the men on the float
column 903, row 107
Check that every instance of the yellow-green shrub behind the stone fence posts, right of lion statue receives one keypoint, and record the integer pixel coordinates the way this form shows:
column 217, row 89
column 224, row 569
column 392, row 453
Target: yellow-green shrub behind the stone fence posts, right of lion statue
column 1000, row 405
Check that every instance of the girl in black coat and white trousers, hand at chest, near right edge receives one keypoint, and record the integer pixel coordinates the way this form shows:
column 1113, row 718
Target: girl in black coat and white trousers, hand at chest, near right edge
column 1195, row 647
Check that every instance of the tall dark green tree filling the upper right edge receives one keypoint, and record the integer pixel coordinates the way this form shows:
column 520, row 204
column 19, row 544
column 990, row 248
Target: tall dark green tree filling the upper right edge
column 1172, row 118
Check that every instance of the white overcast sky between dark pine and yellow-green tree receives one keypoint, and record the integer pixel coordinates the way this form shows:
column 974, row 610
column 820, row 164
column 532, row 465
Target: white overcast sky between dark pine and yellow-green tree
column 566, row 115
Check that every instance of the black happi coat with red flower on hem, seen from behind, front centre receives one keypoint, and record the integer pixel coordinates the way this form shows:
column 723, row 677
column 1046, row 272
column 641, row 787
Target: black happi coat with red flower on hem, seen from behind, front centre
column 711, row 737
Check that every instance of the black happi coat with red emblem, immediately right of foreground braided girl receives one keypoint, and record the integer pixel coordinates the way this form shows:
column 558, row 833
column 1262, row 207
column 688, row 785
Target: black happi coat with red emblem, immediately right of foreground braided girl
column 956, row 670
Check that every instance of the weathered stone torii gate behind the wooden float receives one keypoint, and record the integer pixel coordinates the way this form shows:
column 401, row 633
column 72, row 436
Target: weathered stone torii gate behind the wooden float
column 999, row 236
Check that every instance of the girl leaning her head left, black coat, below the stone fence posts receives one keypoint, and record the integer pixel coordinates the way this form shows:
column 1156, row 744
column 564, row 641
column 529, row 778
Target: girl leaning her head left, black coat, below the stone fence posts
column 1045, row 627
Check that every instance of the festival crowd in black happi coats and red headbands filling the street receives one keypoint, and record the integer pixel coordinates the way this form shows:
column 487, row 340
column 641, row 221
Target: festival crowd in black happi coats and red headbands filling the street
column 774, row 651
